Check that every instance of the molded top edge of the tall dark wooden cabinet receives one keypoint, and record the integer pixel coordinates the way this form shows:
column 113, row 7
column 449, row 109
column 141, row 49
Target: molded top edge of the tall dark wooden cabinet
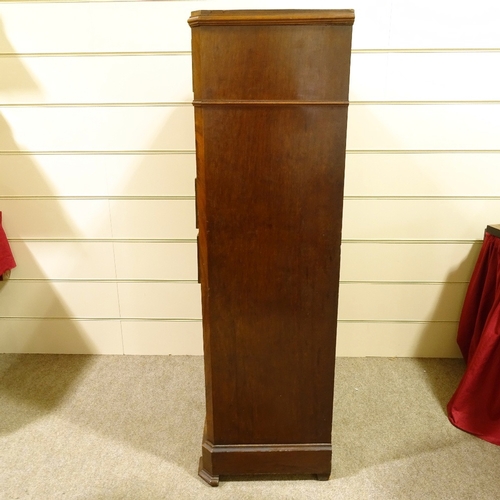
column 270, row 17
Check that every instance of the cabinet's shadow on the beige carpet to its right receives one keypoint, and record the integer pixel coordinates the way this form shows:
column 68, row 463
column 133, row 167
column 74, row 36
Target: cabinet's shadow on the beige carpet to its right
column 385, row 411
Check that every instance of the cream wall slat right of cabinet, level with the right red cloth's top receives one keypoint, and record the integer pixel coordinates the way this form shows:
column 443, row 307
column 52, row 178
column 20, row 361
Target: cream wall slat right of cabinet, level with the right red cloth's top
column 418, row 219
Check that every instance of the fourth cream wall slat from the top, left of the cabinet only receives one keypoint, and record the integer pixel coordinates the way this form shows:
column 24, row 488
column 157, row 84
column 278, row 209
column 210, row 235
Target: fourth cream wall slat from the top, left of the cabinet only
column 94, row 175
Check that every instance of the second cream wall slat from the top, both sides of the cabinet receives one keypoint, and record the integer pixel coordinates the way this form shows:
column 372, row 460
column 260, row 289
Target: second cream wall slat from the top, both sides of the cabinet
column 167, row 79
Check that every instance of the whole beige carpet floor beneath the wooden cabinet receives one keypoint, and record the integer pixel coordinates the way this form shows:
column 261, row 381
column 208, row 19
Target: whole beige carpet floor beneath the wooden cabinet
column 129, row 427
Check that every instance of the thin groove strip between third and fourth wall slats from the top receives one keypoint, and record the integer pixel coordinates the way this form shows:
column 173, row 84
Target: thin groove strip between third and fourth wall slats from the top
column 192, row 151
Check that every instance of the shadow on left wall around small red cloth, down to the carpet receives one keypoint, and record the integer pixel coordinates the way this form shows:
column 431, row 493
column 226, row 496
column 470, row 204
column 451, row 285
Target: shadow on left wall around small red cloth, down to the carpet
column 34, row 315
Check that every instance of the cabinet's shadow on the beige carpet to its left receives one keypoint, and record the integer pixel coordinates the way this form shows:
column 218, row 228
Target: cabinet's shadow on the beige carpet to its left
column 153, row 403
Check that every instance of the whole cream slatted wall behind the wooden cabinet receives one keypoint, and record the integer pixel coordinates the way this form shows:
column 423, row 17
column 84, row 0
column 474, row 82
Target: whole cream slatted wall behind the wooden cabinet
column 97, row 167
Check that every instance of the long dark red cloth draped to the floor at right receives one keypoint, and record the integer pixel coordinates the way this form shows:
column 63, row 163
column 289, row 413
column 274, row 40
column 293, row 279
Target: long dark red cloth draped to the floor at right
column 475, row 406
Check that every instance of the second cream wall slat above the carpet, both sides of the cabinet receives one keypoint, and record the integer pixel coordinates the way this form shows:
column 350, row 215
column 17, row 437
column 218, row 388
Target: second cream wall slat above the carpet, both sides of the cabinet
column 364, row 301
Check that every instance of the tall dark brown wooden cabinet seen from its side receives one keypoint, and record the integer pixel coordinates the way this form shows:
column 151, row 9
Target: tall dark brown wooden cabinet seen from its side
column 270, row 98
